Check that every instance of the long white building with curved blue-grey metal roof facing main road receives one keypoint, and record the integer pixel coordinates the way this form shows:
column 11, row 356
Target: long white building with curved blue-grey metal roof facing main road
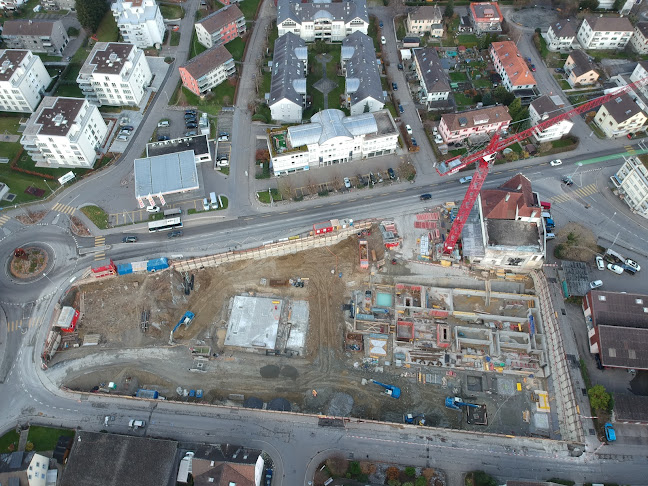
column 332, row 138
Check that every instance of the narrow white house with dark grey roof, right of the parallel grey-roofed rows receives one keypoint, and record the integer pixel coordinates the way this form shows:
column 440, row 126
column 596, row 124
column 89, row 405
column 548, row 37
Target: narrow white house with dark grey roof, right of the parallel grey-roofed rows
column 433, row 79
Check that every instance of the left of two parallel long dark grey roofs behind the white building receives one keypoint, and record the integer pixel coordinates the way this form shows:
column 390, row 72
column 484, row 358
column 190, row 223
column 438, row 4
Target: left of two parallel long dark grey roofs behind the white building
column 288, row 63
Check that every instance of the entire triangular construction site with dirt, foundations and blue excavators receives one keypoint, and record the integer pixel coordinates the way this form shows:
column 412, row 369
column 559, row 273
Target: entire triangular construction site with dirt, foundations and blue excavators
column 356, row 319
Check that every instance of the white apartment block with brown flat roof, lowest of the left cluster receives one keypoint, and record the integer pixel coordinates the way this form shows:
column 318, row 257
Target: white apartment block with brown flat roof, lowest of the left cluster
column 64, row 132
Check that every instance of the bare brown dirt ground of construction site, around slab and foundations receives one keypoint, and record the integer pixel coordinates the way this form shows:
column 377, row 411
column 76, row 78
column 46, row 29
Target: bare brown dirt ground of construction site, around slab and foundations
column 327, row 379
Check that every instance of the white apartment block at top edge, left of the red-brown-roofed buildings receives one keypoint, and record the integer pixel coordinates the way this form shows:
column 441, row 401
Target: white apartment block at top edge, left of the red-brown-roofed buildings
column 140, row 22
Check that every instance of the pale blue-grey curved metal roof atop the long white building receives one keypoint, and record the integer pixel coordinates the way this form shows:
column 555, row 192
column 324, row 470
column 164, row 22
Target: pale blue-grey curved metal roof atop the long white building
column 328, row 124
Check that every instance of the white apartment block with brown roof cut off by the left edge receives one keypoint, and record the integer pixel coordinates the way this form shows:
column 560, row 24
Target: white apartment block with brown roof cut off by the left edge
column 23, row 80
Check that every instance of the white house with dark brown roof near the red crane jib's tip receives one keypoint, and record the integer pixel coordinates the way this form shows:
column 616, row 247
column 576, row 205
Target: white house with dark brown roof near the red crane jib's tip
column 620, row 116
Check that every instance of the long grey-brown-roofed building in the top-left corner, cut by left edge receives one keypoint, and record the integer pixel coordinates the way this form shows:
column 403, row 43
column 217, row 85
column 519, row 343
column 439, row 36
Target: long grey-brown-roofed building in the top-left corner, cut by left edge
column 47, row 36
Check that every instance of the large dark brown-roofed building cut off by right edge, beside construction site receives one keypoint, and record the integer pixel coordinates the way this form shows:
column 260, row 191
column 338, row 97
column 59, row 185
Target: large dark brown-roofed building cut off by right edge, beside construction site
column 617, row 328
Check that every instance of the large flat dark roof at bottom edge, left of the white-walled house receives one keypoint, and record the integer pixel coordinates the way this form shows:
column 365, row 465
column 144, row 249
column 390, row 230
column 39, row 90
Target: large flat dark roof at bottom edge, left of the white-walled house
column 113, row 459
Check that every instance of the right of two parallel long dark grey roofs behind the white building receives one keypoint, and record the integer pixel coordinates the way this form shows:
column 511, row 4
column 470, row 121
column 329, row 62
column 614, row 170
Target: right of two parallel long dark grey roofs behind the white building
column 362, row 75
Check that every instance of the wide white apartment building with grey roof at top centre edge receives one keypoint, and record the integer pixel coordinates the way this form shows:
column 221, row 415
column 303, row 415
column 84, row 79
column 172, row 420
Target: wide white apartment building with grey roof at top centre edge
column 322, row 20
